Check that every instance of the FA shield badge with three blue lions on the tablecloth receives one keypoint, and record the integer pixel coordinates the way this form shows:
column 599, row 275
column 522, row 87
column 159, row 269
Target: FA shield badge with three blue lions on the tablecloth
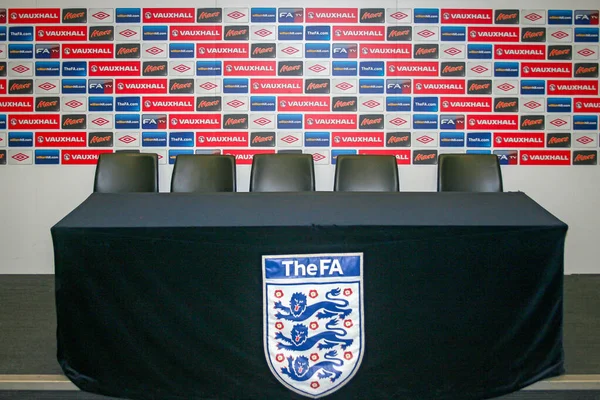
column 313, row 320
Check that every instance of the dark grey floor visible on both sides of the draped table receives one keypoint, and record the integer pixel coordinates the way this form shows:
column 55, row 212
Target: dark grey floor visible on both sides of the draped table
column 28, row 325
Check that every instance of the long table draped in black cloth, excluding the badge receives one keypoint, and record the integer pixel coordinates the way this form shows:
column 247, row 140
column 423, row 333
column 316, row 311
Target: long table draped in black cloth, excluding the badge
column 160, row 296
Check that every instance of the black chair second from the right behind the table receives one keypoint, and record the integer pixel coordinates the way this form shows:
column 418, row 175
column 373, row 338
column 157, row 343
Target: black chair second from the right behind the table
column 366, row 173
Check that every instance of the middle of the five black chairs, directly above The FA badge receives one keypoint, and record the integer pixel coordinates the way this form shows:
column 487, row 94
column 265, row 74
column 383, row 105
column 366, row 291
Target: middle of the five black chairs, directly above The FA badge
column 282, row 173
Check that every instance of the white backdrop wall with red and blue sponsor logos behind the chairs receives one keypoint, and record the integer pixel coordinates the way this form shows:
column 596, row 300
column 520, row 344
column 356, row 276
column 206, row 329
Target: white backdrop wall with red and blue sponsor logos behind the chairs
column 412, row 79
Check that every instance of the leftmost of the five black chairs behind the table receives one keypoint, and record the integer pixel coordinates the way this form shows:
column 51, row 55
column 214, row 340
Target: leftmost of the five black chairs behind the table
column 126, row 172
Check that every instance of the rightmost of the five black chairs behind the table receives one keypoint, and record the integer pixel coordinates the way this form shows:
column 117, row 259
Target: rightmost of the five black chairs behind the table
column 469, row 173
